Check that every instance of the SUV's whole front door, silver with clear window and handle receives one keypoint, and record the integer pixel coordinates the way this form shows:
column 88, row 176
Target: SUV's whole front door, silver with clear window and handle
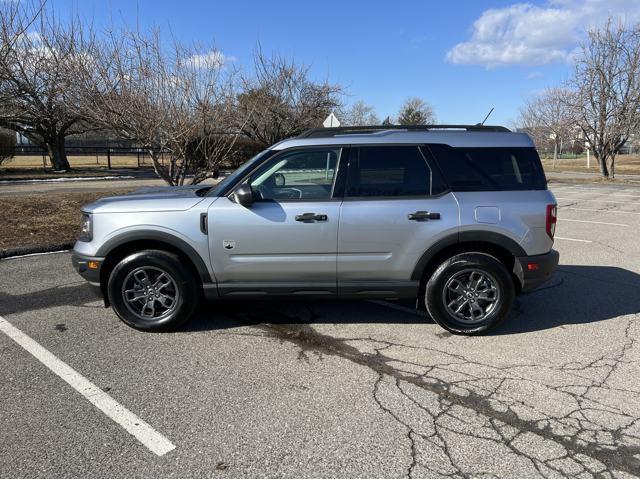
column 285, row 242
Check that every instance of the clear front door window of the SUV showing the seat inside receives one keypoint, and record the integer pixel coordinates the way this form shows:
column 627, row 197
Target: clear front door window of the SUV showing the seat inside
column 306, row 174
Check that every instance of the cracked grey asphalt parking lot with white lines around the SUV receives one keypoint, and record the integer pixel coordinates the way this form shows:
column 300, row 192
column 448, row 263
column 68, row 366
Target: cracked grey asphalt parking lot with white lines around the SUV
column 335, row 389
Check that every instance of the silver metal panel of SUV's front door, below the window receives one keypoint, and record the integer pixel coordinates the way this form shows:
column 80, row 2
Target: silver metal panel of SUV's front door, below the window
column 269, row 245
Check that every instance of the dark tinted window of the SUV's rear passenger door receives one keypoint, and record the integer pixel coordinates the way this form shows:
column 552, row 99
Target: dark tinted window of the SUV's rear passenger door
column 391, row 171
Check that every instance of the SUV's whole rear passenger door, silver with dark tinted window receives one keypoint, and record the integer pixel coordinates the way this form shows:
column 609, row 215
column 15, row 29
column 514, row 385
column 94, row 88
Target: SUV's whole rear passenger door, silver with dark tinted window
column 395, row 206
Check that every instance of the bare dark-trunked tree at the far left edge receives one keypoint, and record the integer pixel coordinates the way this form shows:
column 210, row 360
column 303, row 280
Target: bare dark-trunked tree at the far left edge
column 37, row 78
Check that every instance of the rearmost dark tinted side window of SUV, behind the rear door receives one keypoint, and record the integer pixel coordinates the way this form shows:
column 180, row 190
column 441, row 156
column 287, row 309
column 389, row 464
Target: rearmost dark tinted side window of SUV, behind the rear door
column 490, row 169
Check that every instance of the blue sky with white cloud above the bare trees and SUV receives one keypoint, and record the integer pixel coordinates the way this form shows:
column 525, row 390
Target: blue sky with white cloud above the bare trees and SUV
column 463, row 57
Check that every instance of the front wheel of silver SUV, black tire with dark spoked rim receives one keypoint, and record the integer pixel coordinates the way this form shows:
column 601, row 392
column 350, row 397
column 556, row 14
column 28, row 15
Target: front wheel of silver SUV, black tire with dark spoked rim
column 178, row 283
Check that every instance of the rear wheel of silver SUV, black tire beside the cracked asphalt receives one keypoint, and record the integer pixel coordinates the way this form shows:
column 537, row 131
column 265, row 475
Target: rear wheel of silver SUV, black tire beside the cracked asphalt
column 449, row 286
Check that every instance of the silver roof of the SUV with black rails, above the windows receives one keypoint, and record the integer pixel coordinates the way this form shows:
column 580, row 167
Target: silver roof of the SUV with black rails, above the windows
column 454, row 136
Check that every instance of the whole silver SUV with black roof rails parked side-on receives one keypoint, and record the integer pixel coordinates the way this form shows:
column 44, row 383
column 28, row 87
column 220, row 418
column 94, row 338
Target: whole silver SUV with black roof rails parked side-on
column 457, row 217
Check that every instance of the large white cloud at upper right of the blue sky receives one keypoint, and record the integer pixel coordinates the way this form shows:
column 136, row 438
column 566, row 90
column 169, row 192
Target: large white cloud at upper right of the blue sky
column 526, row 34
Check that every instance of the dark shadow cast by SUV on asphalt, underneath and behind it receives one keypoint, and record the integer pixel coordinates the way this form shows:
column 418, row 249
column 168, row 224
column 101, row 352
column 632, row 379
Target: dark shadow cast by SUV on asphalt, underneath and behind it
column 575, row 295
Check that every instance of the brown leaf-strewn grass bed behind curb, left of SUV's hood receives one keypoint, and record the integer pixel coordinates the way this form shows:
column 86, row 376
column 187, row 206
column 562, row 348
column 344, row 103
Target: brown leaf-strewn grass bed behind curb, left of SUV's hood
column 42, row 220
